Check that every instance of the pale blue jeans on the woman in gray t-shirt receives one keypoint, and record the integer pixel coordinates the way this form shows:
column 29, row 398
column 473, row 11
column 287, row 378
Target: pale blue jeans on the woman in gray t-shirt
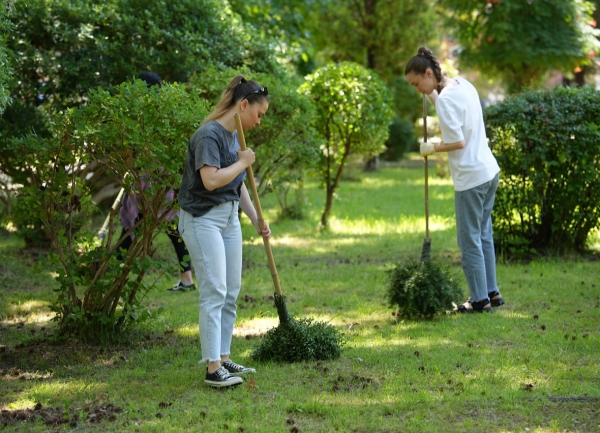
column 214, row 242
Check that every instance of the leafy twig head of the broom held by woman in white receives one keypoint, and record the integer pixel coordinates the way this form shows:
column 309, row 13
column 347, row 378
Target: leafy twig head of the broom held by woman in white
column 422, row 289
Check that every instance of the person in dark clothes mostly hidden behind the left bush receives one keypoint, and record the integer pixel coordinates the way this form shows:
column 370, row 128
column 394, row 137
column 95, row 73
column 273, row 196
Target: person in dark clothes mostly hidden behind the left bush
column 129, row 216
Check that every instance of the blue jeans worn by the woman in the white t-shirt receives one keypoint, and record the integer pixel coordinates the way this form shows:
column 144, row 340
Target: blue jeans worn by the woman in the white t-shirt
column 473, row 209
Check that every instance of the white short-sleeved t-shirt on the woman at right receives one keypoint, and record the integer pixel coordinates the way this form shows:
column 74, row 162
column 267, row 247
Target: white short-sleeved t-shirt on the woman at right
column 461, row 118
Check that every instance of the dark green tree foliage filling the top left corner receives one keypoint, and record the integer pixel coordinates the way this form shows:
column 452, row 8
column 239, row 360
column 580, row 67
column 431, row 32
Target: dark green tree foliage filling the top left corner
column 64, row 49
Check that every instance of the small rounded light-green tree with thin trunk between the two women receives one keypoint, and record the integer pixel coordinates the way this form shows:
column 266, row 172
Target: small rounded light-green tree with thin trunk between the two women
column 353, row 115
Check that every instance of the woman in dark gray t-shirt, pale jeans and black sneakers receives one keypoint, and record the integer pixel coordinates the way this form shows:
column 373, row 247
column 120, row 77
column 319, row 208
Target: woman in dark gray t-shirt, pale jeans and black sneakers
column 211, row 191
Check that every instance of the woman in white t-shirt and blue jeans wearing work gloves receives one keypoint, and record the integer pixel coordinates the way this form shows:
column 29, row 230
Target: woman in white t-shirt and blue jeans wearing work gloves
column 474, row 171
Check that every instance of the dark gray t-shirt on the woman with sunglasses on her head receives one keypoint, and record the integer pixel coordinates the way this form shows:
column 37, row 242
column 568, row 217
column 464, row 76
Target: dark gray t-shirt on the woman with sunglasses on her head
column 212, row 144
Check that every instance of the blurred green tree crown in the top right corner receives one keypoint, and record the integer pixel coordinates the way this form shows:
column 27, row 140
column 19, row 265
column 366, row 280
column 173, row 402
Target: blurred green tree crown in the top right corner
column 520, row 40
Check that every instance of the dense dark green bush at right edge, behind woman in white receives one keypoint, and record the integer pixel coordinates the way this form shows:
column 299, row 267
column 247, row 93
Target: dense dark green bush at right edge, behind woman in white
column 548, row 146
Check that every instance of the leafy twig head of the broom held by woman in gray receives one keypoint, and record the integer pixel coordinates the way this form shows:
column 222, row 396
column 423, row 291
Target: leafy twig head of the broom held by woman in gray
column 300, row 340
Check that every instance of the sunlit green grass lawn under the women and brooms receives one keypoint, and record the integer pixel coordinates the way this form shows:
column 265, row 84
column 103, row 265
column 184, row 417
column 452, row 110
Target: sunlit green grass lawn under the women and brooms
column 531, row 366
